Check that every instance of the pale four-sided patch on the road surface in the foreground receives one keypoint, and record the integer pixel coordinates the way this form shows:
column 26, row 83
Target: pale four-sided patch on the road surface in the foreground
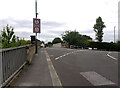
column 96, row 79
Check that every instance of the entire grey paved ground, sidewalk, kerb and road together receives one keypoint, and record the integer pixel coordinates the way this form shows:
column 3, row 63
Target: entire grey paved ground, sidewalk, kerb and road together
column 70, row 67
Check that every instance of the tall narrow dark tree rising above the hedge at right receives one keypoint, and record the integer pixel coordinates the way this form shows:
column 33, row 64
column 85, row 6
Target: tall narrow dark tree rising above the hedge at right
column 98, row 28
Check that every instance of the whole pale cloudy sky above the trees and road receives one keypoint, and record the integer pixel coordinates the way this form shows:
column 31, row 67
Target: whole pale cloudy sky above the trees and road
column 58, row 16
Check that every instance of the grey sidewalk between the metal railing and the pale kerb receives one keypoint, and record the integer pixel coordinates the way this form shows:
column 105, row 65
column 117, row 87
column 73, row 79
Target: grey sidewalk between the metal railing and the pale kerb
column 36, row 74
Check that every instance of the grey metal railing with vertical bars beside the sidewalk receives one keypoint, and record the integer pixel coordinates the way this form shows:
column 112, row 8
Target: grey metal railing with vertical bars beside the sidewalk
column 11, row 60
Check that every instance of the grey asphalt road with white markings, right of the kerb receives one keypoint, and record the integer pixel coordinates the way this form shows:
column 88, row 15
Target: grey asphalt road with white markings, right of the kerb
column 84, row 67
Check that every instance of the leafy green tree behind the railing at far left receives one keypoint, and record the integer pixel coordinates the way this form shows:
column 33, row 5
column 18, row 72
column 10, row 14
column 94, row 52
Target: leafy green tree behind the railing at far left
column 8, row 37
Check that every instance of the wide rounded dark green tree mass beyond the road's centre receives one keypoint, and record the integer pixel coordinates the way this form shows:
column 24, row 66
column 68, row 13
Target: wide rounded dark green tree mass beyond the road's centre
column 74, row 38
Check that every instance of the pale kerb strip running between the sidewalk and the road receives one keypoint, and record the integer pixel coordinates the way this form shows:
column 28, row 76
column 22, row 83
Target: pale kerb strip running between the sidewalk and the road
column 55, row 79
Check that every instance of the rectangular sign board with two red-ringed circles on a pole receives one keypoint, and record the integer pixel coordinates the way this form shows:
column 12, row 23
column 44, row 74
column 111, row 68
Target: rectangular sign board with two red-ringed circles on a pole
column 36, row 25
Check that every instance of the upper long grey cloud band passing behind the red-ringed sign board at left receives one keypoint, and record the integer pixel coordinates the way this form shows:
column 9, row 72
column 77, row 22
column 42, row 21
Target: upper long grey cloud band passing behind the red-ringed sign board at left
column 29, row 24
